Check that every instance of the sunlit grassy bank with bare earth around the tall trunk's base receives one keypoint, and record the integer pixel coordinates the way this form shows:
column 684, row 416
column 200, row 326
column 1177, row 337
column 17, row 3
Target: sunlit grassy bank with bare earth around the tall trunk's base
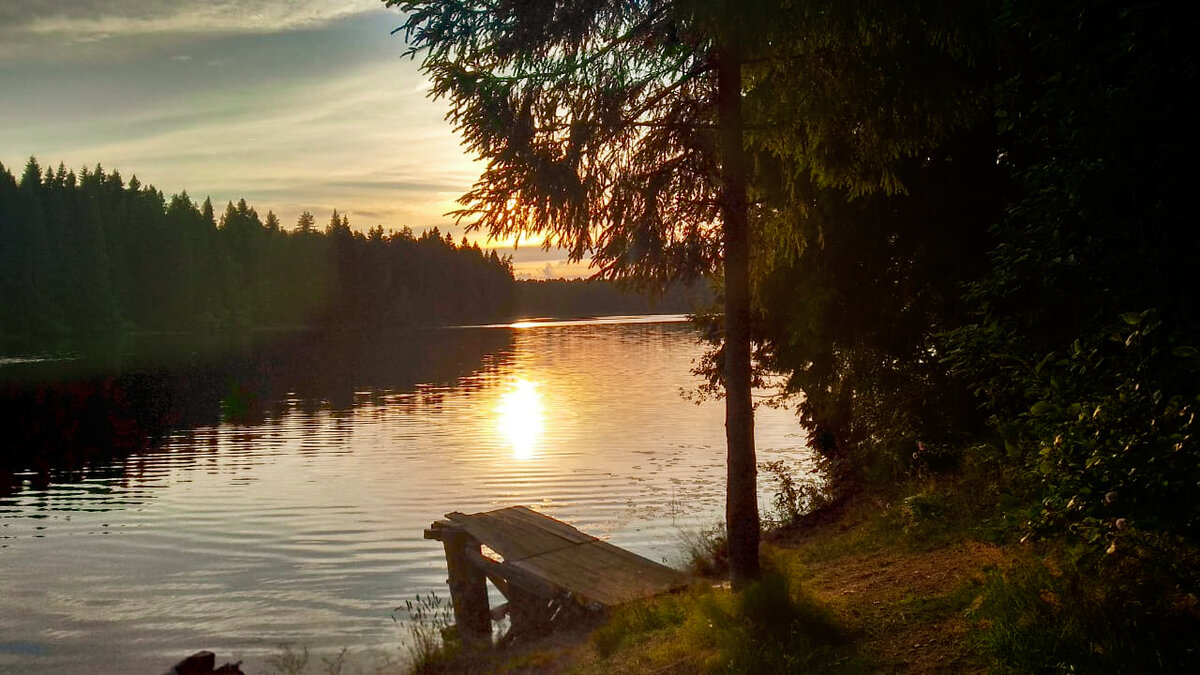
column 881, row 589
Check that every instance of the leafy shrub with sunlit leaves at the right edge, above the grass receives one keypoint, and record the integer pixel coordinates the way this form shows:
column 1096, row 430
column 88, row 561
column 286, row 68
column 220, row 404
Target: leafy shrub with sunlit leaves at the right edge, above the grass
column 1108, row 439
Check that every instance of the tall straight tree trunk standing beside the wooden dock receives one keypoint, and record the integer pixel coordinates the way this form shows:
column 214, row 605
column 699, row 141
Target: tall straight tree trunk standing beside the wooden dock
column 741, row 498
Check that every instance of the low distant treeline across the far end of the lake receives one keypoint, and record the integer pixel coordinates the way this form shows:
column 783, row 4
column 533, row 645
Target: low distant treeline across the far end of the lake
column 567, row 298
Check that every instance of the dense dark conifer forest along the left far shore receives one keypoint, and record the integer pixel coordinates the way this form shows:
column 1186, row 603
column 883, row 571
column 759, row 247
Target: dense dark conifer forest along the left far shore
column 87, row 253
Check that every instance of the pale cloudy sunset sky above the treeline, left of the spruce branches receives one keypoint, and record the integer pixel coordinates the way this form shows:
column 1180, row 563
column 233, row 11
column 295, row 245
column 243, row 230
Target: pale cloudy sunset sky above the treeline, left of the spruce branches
column 292, row 105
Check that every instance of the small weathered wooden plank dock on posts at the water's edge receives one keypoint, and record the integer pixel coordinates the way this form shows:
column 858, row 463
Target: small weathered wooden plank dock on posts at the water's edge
column 545, row 569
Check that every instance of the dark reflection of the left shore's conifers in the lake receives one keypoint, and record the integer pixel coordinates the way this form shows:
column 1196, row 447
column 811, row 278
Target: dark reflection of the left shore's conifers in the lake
column 67, row 421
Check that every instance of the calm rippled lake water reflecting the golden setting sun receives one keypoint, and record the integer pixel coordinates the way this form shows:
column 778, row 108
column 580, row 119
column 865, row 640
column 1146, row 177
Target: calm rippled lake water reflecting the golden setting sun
column 286, row 497
